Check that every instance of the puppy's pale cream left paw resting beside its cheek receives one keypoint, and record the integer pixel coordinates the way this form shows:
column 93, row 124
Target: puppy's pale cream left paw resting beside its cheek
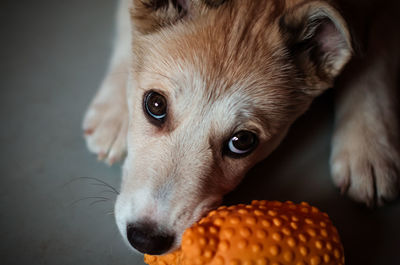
column 105, row 128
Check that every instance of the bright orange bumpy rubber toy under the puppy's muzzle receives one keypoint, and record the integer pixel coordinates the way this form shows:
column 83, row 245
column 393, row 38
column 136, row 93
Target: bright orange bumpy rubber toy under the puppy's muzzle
column 263, row 233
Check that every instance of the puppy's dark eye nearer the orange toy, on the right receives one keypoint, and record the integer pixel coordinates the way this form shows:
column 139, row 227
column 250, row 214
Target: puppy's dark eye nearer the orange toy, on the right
column 242, row 143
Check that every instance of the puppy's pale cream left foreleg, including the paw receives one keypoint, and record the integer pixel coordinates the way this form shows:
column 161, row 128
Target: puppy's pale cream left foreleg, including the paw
column 106, row 120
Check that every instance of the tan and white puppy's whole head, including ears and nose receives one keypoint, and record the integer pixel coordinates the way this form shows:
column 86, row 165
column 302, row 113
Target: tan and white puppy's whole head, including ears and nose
column 212, row 92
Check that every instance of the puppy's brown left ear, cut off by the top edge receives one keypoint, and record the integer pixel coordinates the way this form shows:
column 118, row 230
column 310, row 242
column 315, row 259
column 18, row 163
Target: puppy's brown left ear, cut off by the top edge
column 150, row 15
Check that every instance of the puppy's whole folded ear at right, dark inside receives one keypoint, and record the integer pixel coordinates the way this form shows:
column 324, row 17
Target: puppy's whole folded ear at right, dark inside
column 319, row 42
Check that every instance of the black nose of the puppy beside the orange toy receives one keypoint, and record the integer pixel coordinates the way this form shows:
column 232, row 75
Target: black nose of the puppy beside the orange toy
column 149, row 240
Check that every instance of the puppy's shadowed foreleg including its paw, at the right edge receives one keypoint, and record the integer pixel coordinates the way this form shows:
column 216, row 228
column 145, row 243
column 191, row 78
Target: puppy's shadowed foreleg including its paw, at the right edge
column 365, row 160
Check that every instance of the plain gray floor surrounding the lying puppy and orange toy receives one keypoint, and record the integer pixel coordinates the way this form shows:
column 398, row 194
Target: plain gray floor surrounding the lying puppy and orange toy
column 52, row 57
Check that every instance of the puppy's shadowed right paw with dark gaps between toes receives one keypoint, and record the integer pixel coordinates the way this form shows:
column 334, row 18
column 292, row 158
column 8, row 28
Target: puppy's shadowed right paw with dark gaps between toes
column 365, row 165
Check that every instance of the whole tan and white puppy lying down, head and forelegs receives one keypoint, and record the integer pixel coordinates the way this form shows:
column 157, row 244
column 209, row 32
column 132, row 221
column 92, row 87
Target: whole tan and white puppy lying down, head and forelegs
column 199, row 91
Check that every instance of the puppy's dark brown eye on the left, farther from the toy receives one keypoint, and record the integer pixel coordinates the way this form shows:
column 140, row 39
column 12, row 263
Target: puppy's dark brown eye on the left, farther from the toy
column 155, row 106
